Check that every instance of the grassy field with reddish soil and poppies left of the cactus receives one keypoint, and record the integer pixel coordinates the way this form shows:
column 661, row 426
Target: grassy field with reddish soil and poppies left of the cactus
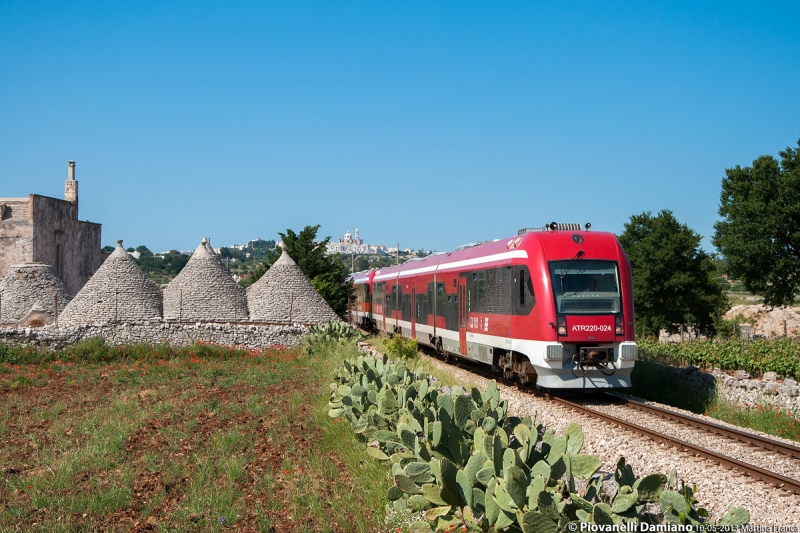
column 202, row 438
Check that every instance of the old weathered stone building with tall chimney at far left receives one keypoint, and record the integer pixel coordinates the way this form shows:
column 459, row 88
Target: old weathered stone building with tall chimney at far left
column 47, row 230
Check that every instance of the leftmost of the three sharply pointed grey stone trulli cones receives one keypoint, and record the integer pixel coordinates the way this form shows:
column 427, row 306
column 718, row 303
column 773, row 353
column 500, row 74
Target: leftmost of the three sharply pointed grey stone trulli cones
column 119, row 290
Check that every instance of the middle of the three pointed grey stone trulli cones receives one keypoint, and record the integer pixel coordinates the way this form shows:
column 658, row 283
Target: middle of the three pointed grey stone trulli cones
column 204, row 291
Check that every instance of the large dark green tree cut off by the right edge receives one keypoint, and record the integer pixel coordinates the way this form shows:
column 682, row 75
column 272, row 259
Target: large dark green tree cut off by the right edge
column 760, row 231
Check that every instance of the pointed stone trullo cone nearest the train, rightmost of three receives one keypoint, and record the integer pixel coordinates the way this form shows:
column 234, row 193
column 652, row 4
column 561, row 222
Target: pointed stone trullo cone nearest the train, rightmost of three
column 284, row 294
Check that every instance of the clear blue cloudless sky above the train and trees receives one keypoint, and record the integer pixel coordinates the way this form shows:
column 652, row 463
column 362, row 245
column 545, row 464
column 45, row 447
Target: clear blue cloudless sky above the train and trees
column 429, row 123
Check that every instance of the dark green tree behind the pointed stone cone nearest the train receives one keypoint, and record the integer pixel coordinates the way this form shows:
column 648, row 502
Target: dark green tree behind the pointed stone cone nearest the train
column 328, row 274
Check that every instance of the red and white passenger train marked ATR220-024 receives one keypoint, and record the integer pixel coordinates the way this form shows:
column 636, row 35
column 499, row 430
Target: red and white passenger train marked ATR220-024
column 552, row 307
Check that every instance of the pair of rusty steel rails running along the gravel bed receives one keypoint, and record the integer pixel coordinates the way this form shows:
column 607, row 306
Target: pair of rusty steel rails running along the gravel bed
column 772, row 478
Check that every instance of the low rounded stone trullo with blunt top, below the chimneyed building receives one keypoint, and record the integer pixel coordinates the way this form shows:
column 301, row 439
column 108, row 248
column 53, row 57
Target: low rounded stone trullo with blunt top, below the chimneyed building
column 30, row 285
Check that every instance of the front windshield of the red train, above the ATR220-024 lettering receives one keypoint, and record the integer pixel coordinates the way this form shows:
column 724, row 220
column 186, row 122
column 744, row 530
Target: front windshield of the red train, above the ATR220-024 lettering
column 586, row 287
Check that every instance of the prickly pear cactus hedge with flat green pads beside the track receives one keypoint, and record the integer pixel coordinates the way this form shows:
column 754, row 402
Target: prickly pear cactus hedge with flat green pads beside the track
column 459, row 458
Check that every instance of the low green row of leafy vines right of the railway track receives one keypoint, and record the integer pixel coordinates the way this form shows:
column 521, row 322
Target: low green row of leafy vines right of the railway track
column 780, row 355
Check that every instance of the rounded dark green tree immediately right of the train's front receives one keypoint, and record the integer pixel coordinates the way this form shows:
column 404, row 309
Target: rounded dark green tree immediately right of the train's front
column 674, row 281
